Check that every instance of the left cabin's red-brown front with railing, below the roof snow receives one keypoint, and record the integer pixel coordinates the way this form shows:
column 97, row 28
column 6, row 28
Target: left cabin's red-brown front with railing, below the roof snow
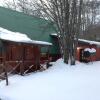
column 21, row 58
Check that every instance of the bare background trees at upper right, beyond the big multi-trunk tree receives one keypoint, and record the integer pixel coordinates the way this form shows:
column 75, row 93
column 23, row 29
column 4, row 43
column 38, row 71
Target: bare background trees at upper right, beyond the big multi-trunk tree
column 90, row 12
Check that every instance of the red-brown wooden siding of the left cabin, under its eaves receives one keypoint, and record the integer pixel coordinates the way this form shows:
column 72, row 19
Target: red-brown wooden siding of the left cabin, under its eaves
column 22, row 57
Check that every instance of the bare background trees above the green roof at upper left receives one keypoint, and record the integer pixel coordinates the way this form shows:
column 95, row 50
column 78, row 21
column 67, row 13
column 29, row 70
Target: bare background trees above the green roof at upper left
column 25, row 6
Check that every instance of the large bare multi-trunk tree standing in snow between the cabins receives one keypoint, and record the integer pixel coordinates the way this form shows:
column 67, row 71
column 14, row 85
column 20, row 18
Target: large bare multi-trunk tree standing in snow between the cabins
column 66, row 14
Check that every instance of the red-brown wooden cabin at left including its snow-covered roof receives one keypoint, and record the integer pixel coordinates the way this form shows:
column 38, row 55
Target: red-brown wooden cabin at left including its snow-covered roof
column 22, row 55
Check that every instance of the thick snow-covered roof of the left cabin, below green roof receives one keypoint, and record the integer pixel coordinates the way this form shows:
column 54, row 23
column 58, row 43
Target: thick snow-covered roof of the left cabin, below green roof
column 19, row 37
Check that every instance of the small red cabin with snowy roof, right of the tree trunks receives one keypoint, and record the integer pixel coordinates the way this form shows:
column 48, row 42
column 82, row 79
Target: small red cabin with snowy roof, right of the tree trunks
column 91, row 56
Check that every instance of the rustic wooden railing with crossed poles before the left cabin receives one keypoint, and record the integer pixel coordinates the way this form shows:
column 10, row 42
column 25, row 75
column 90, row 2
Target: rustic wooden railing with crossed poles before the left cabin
column 9, row 67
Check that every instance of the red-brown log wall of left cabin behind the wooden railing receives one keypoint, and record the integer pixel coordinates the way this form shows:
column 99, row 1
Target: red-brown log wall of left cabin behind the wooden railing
column 21, row 55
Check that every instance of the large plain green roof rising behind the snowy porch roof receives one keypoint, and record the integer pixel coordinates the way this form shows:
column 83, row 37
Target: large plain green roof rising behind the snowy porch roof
column 35, row 28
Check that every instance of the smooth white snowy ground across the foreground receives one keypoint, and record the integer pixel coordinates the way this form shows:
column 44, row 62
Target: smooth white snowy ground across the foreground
column 60, row 82
